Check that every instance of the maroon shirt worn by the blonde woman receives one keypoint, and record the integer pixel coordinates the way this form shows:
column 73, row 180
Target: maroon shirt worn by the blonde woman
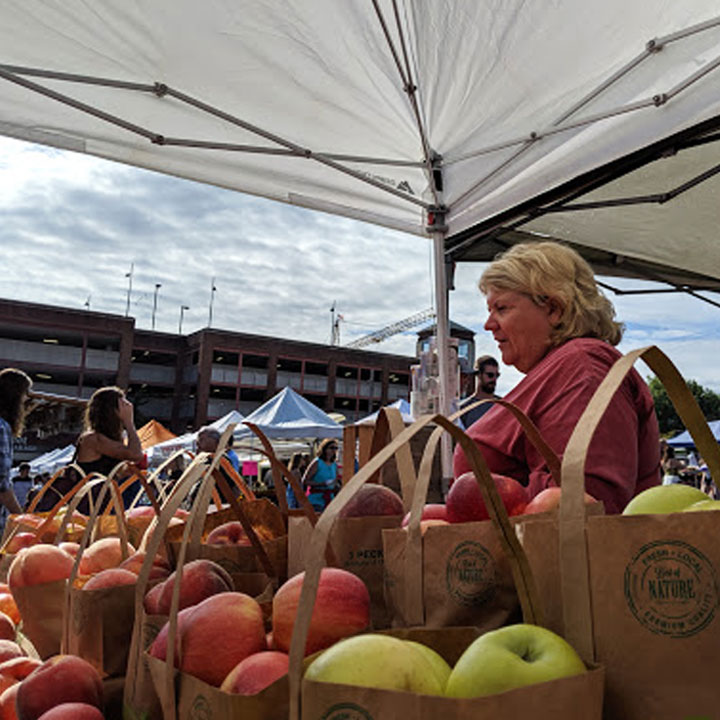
column 624, row 455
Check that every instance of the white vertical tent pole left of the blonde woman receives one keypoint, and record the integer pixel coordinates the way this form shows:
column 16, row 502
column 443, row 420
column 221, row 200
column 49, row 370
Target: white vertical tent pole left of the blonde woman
column 438, row 232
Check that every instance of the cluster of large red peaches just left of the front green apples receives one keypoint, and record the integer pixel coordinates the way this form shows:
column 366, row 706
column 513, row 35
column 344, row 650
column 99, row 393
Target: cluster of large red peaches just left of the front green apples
column 223, row 638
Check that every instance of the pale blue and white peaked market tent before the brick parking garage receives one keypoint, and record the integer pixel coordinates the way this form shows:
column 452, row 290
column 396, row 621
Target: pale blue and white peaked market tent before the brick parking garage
column 289, row 415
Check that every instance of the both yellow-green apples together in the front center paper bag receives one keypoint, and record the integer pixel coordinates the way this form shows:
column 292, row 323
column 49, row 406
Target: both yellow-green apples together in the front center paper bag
column 511, row 657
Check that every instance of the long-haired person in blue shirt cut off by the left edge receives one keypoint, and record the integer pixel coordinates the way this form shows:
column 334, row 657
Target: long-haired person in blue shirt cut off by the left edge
column 14, row 388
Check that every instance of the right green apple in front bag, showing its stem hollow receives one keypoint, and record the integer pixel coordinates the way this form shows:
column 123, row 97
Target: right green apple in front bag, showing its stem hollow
column 511, row 657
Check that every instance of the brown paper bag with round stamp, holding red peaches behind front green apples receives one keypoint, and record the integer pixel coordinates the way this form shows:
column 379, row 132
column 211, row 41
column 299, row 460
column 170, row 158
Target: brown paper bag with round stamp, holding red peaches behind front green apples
column 456, row 574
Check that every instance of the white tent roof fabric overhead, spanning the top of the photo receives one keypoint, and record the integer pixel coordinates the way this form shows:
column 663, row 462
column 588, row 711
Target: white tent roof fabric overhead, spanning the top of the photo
column 358, row 110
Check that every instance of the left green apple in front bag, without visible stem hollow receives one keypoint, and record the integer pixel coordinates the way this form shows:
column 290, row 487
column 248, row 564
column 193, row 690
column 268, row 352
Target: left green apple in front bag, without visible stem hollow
column 377, row 661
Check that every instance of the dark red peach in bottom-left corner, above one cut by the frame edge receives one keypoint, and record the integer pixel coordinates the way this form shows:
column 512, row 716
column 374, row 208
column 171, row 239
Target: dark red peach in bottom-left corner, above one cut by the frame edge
column 60, row 679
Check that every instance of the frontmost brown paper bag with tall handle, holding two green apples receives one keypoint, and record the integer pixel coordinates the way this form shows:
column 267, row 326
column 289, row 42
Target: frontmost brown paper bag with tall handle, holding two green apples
column 576, row 697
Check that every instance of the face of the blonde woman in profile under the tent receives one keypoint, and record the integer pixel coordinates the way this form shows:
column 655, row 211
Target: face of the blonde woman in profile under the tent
column 520, row 327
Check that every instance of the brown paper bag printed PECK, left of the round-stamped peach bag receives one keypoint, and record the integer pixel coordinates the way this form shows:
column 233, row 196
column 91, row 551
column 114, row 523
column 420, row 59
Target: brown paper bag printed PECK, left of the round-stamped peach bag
column 357, row 543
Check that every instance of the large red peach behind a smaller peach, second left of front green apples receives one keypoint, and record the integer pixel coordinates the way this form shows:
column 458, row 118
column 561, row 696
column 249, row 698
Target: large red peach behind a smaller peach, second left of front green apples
column 216, row 635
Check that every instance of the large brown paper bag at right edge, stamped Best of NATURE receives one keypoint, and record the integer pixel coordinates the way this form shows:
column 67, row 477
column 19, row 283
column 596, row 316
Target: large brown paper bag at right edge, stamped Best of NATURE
column 640, row 593
